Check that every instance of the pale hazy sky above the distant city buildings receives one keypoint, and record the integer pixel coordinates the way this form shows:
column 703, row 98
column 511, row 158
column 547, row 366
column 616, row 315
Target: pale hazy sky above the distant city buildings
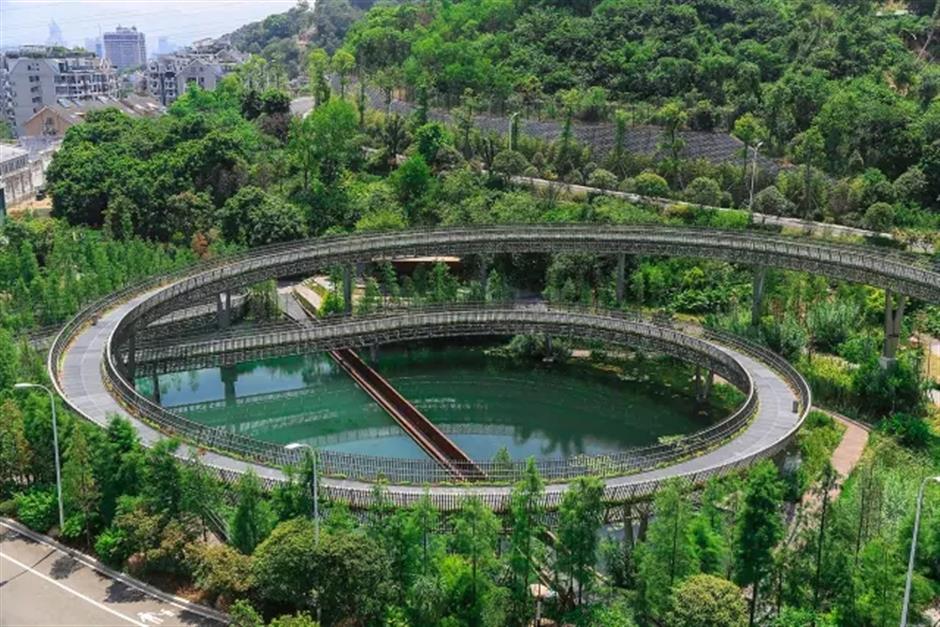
column 27, row 21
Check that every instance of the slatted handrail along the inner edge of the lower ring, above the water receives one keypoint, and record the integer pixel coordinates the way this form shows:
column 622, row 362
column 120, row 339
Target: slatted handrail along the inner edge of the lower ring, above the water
column 401, row 471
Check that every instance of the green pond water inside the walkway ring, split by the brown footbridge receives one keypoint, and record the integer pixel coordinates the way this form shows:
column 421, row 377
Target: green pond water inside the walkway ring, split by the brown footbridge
column 483, row 402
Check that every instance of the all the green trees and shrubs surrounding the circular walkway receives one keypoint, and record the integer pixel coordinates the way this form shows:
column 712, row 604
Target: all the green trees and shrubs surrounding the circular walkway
column 232, row 169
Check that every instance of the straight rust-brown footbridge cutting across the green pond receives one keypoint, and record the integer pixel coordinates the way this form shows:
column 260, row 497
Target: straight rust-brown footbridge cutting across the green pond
column 419, row 428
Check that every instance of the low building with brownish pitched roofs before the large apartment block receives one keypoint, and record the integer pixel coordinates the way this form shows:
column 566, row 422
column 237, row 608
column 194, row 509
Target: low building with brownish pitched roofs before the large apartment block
column 53, row 120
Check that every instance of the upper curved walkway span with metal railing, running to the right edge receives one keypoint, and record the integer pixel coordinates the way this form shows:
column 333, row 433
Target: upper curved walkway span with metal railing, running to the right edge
column 914, row 275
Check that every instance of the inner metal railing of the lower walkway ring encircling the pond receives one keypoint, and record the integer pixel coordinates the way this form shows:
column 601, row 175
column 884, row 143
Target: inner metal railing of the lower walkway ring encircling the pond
column 439, row 321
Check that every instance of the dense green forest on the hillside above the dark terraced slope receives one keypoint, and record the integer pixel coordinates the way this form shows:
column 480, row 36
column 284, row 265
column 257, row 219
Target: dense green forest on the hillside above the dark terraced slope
column 840, row 90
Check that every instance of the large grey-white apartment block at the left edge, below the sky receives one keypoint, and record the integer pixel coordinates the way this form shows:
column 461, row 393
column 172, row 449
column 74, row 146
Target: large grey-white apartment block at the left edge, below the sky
column 28, row 82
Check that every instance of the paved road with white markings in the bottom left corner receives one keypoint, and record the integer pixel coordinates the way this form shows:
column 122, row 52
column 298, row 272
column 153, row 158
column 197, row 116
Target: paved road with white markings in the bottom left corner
column 41, row 585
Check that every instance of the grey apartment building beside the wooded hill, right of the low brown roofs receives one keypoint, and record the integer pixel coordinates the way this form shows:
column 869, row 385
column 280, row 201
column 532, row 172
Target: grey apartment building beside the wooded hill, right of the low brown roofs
column 203, row 64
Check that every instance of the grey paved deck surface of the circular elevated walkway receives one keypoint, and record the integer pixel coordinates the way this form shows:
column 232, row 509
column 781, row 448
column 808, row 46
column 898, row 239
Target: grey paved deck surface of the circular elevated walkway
column 779, row 413
